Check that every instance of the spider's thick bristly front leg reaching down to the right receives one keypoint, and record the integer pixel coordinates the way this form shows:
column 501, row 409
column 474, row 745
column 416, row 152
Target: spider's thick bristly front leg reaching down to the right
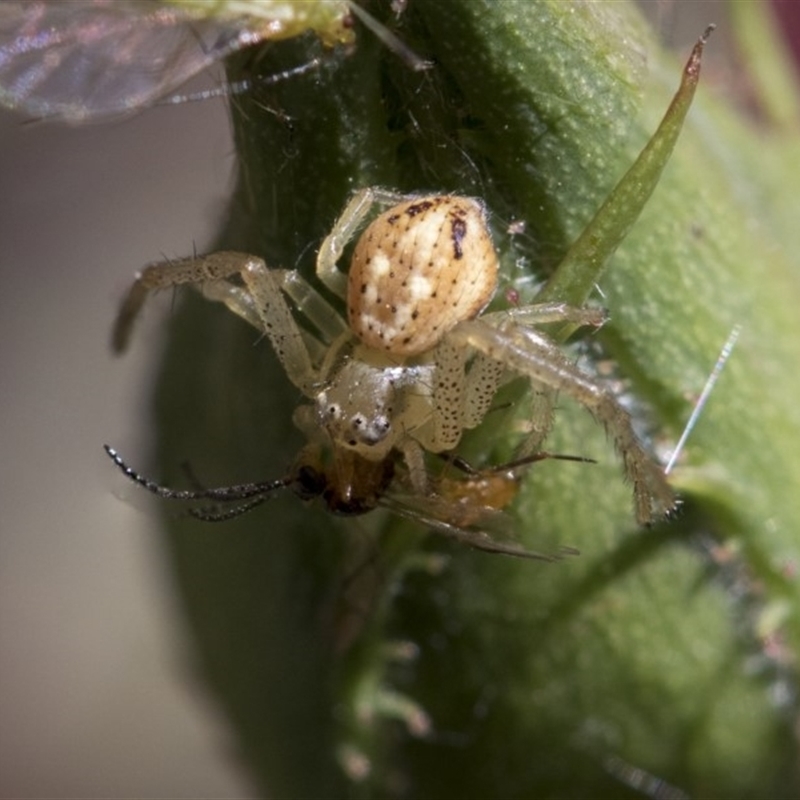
column 529, row 353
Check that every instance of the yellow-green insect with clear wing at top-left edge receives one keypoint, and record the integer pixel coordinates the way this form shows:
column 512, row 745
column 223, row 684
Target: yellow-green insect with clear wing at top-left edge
column 89, row 60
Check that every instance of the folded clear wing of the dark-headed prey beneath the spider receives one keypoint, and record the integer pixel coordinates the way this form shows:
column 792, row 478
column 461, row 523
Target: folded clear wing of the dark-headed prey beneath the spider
column 486, row 529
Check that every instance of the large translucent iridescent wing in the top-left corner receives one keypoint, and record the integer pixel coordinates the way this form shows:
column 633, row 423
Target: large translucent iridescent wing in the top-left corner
column 83, row 61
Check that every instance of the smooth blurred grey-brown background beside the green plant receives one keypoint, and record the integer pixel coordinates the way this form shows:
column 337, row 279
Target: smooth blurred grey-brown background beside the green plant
column 97, row 693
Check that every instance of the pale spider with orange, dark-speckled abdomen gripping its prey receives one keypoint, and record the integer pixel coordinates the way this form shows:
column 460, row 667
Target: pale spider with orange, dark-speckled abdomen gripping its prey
column 418, row 360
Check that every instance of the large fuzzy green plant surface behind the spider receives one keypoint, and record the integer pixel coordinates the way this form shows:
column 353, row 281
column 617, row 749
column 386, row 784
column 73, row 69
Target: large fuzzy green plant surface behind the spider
column 360, row 656
